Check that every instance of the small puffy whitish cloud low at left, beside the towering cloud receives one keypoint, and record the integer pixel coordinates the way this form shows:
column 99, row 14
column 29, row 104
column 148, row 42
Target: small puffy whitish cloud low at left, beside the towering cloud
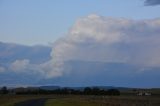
column 44, row 70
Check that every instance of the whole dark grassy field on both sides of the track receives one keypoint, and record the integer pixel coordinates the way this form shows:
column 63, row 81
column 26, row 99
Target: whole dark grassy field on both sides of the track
column 81, row 100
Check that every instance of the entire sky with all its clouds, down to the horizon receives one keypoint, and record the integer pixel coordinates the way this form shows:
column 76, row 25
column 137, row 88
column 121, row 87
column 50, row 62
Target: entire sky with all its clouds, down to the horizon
column 80, row 43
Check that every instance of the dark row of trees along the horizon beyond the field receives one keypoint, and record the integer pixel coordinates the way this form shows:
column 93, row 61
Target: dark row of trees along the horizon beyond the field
column 64, row 91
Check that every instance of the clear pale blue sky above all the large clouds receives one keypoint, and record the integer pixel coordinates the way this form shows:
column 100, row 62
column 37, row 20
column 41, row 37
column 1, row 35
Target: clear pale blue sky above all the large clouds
column 44, row 21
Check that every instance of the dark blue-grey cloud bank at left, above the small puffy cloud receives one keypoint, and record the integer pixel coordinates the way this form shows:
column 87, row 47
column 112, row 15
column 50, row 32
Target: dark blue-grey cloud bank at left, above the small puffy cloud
column 10, row 52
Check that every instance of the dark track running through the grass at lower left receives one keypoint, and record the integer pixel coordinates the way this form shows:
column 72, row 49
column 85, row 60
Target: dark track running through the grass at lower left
column 34, row 102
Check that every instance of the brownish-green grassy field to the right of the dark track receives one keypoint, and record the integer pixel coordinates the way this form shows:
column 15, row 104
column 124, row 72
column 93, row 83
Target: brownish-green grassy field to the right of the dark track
column 104, row 101
